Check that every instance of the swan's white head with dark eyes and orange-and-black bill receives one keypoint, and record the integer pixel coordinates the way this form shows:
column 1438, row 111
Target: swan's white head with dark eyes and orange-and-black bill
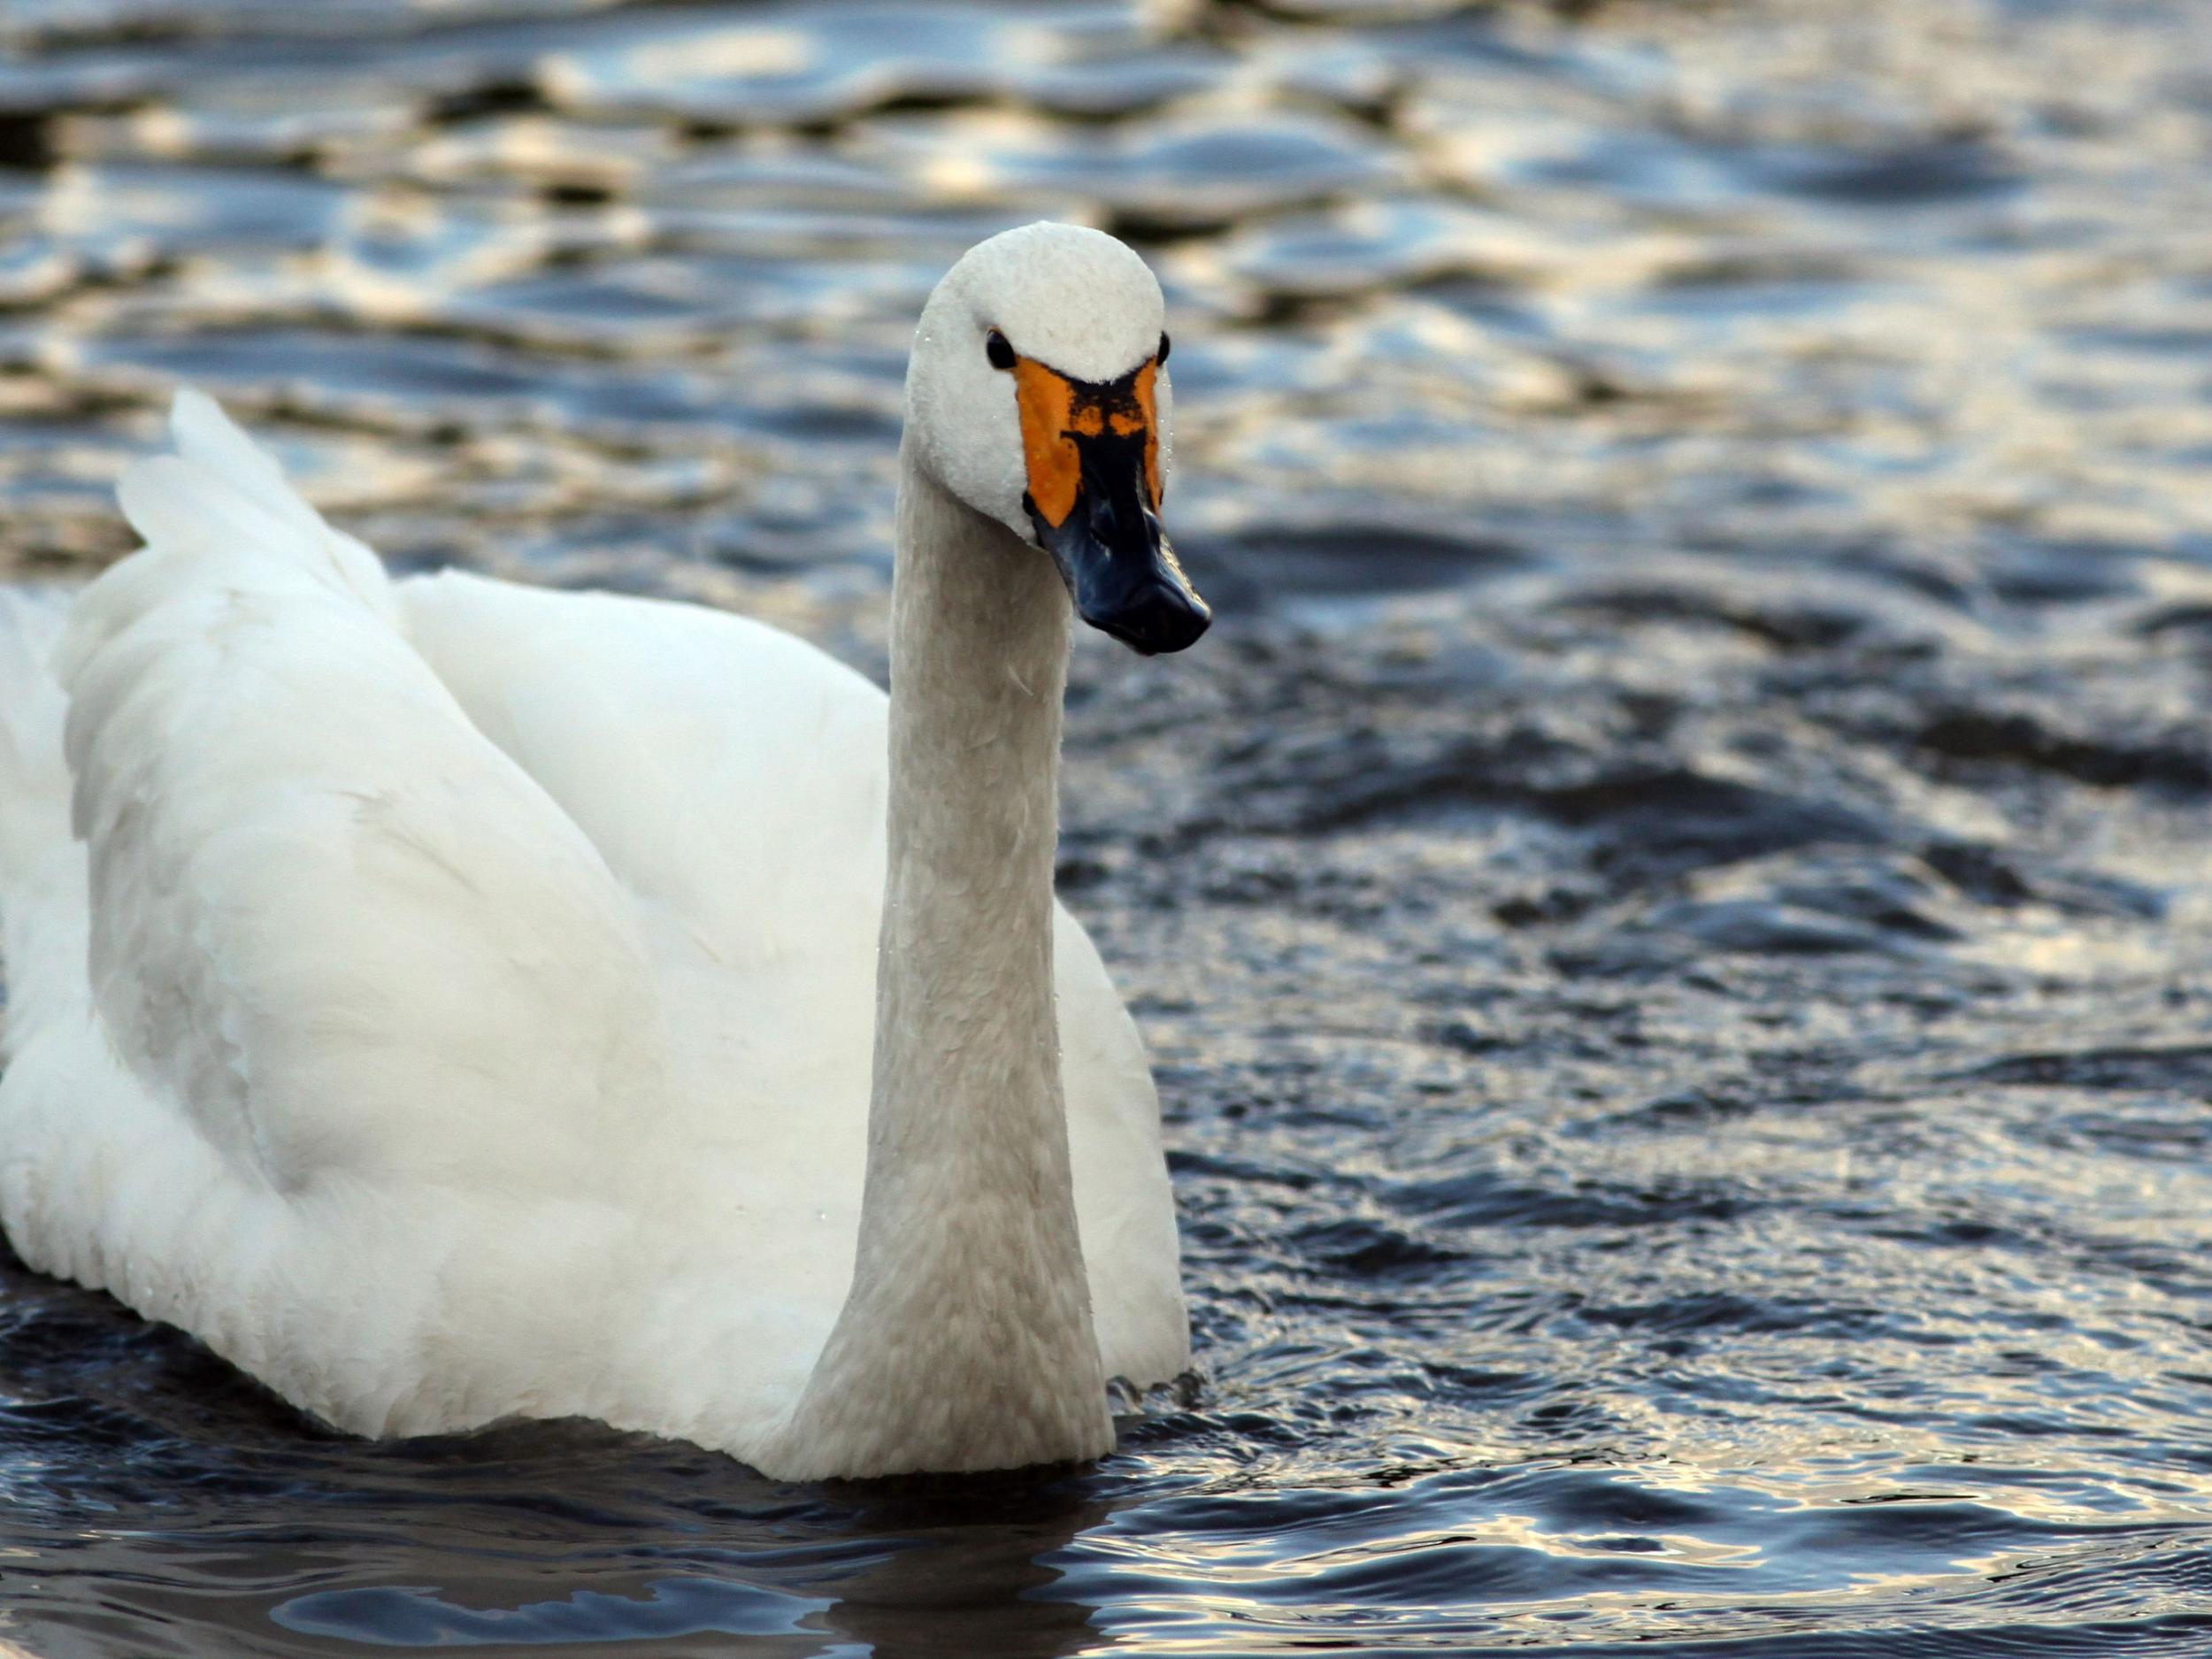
column 1041, row 397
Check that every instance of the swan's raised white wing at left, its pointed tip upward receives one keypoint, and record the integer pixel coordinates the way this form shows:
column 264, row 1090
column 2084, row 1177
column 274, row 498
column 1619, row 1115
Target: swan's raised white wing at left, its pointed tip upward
column 331, row 919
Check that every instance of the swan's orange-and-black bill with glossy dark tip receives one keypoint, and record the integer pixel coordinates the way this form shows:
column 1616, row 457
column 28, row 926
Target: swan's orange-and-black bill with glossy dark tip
column 1094, row 499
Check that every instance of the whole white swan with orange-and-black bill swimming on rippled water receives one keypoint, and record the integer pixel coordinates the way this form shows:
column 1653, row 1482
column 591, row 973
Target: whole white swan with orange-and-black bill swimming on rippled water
column 455, row 1001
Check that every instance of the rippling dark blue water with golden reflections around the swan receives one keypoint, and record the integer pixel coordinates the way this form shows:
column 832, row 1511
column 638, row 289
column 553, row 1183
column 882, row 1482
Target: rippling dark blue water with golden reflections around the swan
column 1671, row 912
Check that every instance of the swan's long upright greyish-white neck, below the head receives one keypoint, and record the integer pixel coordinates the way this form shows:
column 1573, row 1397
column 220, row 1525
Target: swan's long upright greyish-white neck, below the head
column 966, row 1342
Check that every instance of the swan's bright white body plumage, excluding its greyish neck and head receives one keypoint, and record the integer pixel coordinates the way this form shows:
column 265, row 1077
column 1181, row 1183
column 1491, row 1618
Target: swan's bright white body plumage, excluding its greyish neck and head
column 457, row 1001
